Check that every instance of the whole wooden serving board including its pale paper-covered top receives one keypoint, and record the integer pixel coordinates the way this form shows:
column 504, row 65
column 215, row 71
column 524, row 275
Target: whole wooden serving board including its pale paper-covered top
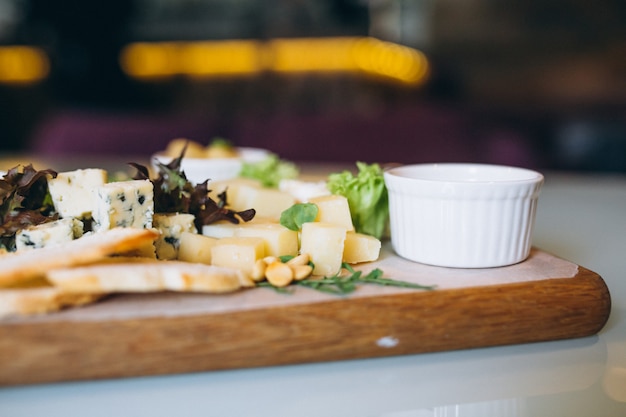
column 543, row 298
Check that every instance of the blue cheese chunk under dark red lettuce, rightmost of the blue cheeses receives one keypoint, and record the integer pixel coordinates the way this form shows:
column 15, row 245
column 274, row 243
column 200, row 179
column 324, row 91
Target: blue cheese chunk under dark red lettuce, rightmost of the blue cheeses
column 170, row 227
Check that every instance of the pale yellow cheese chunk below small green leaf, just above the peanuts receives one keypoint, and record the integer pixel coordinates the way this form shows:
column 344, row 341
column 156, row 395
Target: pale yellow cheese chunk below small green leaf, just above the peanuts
column 278, row 239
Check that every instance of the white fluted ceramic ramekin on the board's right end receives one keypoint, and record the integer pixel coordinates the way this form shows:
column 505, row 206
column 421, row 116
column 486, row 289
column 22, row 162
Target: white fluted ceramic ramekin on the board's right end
column 462, row 215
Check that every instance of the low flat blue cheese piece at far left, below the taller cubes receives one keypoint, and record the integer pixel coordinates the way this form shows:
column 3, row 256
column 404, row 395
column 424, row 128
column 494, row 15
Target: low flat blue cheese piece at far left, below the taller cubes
column 58, row 231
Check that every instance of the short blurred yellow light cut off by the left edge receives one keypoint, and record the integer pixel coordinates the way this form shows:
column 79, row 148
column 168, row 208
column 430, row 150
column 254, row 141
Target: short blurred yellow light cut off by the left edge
column 23, row 65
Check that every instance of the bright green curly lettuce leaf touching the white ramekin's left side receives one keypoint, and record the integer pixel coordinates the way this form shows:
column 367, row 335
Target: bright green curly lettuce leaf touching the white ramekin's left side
column 367, row 197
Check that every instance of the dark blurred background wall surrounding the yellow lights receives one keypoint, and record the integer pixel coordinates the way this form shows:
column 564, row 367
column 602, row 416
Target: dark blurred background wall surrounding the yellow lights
column 542, row 68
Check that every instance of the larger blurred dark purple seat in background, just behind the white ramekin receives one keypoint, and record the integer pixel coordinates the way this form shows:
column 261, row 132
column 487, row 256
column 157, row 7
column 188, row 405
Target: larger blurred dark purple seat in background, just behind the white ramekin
column 403, row 135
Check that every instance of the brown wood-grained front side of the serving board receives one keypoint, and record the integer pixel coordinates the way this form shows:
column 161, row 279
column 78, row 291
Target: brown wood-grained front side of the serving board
column 410, row 322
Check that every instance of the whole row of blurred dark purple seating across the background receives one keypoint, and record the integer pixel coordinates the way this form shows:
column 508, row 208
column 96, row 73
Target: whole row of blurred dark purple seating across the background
column 413, row 134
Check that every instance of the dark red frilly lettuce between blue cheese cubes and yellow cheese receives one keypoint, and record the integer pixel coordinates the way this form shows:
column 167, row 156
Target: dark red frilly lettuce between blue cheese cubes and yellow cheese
column 174, row 193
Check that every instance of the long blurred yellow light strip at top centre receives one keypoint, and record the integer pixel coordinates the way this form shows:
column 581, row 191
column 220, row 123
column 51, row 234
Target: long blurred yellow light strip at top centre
column 241, row 57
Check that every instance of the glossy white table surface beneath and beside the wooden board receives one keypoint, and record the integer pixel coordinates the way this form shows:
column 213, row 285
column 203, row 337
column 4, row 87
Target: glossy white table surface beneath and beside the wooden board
column 581, row 218
